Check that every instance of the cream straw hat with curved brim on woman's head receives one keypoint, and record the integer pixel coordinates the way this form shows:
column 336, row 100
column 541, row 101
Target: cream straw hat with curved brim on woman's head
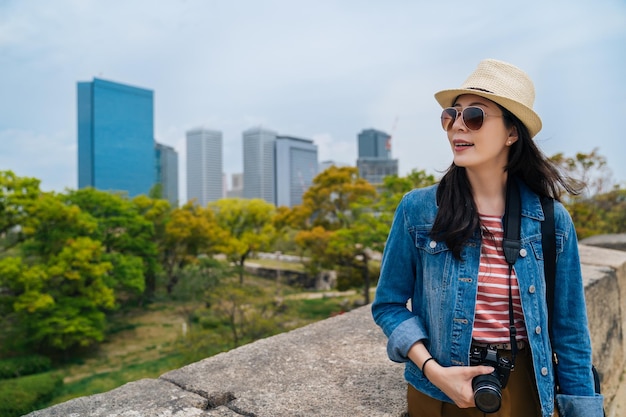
column 501, row 83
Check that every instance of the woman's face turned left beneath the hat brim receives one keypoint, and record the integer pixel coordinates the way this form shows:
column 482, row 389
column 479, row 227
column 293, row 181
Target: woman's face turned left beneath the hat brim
column 486, row 148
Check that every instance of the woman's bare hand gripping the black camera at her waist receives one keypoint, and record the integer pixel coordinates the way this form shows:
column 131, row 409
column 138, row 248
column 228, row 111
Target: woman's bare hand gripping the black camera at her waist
column 456, row 381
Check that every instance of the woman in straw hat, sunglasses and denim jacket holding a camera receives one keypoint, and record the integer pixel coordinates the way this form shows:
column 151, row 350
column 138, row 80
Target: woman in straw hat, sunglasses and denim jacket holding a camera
column 445, row 292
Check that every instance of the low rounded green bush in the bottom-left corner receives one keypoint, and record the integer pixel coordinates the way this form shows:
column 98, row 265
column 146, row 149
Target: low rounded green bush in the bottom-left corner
column 20, row 396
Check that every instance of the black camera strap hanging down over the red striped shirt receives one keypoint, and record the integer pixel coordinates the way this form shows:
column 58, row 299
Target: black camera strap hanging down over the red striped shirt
column 511, row 244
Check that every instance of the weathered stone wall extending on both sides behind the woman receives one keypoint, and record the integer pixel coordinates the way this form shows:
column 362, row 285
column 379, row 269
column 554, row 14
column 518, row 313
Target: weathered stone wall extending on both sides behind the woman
column 336, row 367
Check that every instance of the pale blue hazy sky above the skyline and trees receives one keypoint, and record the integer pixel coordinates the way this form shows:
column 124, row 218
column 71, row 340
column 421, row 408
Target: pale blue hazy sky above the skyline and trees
column 317, row 69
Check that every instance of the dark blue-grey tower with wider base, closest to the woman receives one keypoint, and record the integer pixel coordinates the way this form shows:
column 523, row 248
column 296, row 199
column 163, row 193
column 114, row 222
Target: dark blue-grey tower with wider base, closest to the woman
column 374, row 161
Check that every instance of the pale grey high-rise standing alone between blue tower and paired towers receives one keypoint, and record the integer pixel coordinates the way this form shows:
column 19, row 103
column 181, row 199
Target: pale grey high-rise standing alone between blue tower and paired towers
column 204, row 165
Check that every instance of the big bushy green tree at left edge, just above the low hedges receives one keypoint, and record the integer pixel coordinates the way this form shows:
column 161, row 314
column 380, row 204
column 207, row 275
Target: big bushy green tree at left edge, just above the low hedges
column 60, row 304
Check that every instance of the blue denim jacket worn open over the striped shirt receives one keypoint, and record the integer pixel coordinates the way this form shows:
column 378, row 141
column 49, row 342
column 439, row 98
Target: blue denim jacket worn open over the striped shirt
column 442, row 291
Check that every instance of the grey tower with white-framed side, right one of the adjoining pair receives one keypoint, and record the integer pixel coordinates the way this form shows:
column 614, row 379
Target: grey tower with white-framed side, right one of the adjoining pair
column 296, row 166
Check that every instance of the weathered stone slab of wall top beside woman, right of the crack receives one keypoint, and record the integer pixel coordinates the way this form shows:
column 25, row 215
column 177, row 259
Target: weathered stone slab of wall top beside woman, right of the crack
column 332, row 368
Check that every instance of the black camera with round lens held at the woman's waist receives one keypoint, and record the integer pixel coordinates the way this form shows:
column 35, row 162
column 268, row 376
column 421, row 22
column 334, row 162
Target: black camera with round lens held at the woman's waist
column 488, row 388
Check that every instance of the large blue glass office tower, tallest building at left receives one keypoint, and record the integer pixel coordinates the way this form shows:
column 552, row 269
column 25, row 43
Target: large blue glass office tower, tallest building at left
column 115, row 137
